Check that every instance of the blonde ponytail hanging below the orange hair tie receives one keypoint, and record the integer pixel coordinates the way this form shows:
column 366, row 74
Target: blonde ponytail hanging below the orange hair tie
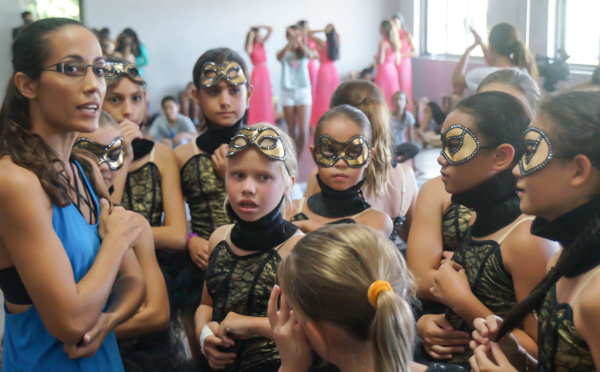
column 393, row 349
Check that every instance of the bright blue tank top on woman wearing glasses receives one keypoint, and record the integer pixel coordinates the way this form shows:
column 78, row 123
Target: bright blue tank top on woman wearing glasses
column 28, row 346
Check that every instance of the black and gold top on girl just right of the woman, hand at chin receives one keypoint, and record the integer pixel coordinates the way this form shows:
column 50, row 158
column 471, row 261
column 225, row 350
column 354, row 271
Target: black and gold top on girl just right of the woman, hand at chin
column 143, row 192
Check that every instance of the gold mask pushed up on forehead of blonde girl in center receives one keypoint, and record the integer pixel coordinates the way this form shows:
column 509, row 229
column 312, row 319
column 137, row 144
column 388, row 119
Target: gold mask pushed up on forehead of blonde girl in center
column 266, row 139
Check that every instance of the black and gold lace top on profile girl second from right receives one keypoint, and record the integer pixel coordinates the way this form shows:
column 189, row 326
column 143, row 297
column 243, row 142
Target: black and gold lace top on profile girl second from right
column 488, row 279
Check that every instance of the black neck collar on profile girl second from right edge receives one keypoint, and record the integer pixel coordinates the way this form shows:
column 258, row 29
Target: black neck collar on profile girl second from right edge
column 495, row 202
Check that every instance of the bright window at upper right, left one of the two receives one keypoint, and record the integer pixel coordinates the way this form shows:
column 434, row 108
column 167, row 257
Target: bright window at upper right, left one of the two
column 448, row 23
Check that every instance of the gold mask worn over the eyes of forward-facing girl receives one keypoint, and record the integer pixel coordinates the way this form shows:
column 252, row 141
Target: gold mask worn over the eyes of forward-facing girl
column 355, row 151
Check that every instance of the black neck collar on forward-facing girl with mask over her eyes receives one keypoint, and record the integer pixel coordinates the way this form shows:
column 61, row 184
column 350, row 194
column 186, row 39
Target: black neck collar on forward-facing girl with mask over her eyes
column 331, row 203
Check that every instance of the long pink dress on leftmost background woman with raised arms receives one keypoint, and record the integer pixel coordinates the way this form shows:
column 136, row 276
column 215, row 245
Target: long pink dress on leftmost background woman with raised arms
column 261, row 103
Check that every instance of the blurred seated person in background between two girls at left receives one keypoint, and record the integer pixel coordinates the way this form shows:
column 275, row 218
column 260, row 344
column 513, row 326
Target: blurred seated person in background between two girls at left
column 172, row 128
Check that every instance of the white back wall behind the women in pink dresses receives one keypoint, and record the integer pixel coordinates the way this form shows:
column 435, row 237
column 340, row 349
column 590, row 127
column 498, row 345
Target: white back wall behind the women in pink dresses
column 176, row 33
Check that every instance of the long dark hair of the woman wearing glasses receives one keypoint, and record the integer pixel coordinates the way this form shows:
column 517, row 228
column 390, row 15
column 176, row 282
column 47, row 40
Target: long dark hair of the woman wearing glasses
column 26, row 149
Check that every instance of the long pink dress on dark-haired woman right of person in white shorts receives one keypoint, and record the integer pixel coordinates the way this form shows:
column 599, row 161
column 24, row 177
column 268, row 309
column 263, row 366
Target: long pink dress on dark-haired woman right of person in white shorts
column 328, row 80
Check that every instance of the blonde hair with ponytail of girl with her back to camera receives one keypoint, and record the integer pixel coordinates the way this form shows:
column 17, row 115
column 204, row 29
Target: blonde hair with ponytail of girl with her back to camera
column 327, row 276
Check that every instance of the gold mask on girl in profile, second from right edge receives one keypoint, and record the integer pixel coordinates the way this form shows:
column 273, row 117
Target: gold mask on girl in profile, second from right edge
column 459, row 144
